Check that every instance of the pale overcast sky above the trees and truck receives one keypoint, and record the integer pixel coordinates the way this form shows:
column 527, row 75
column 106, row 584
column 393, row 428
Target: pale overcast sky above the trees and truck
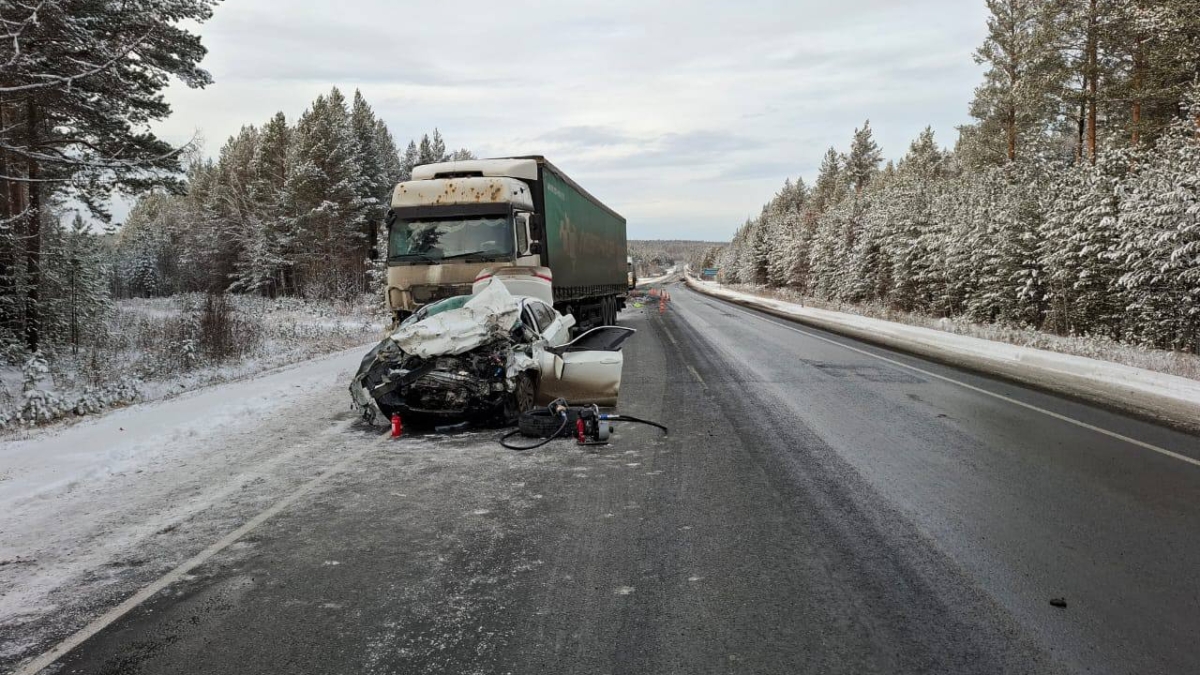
column 685, row 117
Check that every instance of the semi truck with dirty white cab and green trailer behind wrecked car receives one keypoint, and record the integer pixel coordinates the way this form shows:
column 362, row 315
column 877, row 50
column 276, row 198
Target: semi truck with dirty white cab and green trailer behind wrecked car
column 454, row 220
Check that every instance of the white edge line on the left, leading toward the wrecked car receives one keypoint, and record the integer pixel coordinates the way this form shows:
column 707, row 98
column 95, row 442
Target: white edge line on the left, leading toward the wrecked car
column 200, row 559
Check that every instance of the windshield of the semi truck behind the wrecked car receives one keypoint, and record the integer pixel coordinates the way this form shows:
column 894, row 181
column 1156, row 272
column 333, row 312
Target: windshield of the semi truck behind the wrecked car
column 488, row 237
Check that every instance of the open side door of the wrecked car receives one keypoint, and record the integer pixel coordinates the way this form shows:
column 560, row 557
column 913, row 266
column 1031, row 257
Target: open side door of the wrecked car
column 586, row 371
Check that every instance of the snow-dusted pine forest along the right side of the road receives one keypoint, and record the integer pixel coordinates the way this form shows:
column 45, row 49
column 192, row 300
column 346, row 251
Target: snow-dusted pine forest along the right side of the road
column 1072, row 204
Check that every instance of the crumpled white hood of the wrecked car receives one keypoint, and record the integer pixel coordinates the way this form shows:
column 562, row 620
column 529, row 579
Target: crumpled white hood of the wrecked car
column 489, row 315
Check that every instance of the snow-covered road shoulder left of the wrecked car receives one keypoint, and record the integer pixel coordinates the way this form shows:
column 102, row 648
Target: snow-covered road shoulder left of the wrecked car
column 76, row 501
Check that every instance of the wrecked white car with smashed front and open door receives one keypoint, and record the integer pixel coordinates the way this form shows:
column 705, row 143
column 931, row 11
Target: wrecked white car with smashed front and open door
column 487, row 359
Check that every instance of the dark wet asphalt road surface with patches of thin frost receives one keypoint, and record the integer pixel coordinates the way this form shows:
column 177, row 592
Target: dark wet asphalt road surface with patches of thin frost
column 814, row 510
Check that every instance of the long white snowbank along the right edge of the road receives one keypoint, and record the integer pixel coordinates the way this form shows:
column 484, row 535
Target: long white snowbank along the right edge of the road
column 1167, row 398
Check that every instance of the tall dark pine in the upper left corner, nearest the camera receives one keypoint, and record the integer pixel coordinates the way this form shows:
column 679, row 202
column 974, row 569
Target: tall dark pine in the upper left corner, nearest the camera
column 80, row 83
